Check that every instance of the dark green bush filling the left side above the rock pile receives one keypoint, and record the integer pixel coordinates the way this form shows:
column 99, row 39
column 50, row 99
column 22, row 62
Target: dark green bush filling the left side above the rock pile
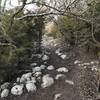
column 21, row 40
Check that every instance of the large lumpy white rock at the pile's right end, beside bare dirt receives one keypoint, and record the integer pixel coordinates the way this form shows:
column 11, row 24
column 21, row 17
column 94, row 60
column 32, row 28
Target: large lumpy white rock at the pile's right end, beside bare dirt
column 47, row 81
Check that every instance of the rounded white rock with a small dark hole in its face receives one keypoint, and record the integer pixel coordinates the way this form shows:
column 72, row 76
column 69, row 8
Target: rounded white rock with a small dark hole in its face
column 17, row 89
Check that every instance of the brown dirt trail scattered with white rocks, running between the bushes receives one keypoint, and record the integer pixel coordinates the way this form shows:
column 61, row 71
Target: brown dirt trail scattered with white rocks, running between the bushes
column 67, row 91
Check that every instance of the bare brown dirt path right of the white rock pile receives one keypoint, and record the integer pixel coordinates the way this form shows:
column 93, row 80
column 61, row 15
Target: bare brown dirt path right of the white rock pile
column 68, row 92
